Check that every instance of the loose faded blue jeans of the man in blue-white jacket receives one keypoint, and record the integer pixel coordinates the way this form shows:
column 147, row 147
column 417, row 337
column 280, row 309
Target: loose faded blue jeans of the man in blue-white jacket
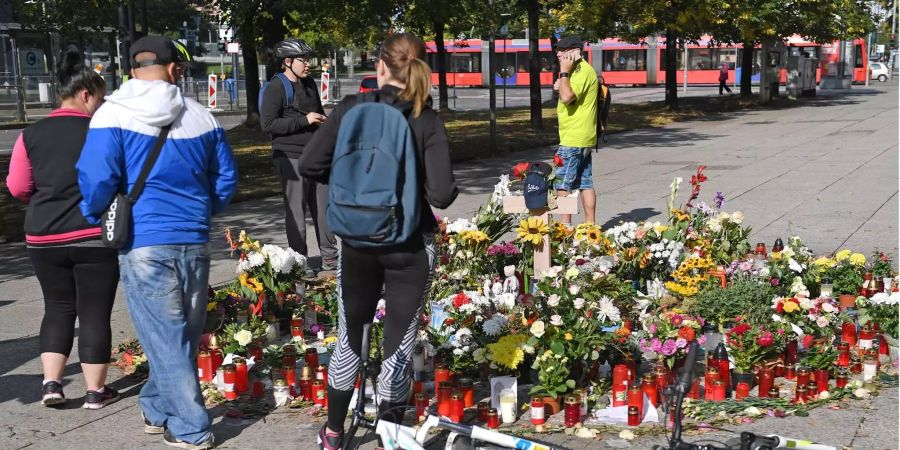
column 166, row 291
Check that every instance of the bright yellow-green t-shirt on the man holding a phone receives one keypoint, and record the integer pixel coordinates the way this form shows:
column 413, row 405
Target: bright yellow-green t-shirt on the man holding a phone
column 578, row 120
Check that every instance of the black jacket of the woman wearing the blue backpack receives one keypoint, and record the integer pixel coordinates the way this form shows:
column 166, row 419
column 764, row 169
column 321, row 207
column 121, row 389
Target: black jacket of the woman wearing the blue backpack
column 432, row 150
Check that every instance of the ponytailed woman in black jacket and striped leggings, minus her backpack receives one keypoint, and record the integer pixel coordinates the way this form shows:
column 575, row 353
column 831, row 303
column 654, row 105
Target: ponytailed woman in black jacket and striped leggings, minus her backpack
column 402, row 271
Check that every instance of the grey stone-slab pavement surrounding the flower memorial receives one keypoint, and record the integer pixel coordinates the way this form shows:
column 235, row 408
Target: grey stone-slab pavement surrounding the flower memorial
column 823, row 168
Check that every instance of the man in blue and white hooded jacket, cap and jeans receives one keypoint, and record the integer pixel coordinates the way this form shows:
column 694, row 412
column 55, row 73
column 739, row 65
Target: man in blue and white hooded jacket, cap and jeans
column 166, row 268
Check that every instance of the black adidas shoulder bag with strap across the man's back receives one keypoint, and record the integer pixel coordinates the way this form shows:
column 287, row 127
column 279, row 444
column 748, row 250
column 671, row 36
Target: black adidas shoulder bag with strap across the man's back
column 116, row 220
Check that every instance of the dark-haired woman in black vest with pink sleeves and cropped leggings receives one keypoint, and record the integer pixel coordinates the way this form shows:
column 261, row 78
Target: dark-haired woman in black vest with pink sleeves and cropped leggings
column 78, row 275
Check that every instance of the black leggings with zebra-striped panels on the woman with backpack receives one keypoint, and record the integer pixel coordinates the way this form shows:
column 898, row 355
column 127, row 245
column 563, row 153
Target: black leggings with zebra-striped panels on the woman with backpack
column 404, row 272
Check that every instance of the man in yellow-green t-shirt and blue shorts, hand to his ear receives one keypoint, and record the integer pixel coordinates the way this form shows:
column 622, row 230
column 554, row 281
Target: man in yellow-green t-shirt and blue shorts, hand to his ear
column 577, row 112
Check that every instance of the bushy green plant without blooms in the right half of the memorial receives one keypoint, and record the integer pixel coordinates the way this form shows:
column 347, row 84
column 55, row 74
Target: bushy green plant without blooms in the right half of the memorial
column 743, row 297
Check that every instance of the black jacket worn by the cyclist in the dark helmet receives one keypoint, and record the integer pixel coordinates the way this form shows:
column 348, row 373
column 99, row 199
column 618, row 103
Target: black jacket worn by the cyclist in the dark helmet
column 288, row 127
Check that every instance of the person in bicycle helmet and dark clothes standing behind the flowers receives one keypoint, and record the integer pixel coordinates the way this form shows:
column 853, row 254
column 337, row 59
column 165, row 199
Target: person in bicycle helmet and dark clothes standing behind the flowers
column 291, row 123
